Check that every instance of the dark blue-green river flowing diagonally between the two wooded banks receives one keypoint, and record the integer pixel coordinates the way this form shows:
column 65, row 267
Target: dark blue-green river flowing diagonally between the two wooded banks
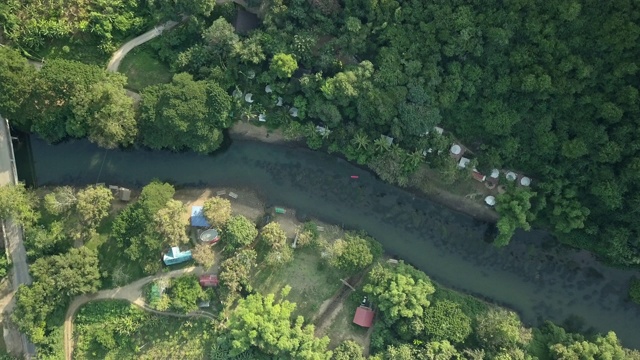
column 533, row 275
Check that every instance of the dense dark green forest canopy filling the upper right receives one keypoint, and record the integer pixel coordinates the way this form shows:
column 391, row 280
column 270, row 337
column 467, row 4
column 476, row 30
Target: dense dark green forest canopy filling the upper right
column 547, row 88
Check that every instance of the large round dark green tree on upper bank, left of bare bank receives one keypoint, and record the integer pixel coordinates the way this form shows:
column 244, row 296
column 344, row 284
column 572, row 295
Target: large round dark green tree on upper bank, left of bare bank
column 184, row 114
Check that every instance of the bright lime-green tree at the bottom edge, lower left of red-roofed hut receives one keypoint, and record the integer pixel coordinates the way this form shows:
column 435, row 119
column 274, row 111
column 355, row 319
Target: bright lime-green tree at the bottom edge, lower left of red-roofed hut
column 261, row 322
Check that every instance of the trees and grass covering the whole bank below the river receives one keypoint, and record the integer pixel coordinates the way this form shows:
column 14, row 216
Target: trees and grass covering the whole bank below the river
column 76, row 239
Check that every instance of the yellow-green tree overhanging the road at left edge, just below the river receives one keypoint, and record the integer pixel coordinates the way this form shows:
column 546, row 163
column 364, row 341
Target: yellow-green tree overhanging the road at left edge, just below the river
column 17, row 204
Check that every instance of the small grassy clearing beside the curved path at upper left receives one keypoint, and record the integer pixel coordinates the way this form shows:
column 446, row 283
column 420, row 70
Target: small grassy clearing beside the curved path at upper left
column 143, row 68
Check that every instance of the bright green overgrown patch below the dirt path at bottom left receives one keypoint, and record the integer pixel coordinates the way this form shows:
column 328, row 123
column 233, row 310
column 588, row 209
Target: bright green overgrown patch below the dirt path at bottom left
column 118, row 330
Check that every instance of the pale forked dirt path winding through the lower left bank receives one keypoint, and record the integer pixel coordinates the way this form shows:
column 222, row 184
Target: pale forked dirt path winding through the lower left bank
column 131, row 293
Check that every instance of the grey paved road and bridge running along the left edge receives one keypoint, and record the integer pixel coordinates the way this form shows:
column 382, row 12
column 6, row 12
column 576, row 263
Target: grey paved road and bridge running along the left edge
column 12, row 231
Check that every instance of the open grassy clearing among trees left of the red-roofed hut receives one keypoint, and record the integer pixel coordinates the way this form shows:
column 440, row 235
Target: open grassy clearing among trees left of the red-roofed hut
column 311, row 281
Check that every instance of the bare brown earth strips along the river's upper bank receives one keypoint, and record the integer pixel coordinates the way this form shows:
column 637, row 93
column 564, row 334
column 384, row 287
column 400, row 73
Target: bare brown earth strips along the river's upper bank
column 460, row 196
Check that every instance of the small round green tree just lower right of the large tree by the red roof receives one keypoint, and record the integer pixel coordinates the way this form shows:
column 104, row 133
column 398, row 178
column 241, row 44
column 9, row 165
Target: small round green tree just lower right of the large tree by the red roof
column 446, row 321
